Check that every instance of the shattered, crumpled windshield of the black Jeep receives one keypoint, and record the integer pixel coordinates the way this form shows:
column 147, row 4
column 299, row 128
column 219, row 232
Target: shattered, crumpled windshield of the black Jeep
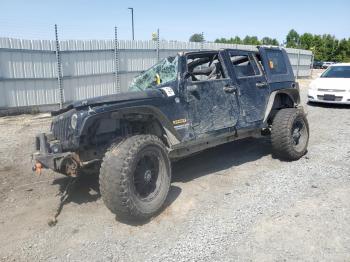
column 162, row 72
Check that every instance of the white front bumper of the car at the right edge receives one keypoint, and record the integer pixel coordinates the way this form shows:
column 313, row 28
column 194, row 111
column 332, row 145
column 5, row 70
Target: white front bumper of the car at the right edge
column 314, row 95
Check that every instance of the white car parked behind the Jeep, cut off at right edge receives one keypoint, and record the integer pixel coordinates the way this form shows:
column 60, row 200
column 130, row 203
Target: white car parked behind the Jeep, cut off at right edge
column 333, row 86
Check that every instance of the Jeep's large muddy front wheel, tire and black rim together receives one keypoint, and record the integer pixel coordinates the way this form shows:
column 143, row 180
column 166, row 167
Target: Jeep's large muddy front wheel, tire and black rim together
column 135, row 177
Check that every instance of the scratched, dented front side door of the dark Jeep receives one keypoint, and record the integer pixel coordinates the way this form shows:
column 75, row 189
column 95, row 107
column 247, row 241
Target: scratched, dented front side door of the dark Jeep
column 212, row 103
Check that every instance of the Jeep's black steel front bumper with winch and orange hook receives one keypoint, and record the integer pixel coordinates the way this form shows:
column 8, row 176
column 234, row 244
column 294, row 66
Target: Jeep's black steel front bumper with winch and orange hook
column 49, row 155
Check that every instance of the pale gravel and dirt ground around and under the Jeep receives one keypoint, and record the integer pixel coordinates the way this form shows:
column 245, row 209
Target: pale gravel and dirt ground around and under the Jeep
column 233, row 202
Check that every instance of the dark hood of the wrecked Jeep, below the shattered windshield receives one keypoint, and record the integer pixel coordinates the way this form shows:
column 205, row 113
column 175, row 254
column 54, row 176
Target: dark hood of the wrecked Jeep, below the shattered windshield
column 111, row 99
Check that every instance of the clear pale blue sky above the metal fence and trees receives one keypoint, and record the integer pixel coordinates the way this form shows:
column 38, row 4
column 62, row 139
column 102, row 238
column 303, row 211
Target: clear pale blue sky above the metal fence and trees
column 177, row 20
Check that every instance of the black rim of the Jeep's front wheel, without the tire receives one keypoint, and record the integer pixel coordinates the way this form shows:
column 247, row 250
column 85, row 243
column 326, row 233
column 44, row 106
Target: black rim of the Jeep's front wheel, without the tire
column 146, row 175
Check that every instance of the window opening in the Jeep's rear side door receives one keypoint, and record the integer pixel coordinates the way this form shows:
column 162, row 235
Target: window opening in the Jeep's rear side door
column 244, row 65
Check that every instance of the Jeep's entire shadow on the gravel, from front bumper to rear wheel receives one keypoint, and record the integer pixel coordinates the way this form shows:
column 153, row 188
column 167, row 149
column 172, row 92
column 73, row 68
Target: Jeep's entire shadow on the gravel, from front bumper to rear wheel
column 86, row 188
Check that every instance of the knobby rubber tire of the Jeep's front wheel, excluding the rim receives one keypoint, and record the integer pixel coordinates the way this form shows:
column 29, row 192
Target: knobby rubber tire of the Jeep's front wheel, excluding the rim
column 116, row 178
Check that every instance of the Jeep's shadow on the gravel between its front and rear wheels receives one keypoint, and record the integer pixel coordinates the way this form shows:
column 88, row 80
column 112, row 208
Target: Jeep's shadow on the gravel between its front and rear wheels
column 221, row 158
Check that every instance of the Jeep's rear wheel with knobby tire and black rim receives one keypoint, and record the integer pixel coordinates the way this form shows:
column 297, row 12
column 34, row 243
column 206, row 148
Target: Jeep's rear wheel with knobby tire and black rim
column 290, row 134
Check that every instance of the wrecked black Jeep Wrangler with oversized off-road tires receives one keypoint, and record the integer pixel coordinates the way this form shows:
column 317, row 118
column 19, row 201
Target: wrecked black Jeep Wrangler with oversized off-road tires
column 180, row 106
